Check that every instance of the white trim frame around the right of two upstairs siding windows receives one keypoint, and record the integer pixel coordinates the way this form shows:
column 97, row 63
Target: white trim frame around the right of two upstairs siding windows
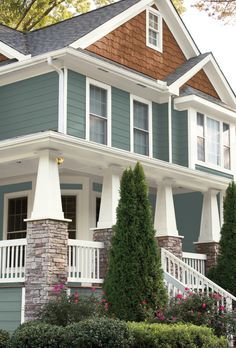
column 149, row 103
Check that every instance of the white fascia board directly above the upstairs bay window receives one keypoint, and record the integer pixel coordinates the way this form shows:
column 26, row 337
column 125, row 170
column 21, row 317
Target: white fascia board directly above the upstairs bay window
column 204, row 106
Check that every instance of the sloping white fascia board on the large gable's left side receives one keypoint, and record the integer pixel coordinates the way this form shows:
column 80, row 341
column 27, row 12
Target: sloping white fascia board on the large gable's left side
column 111, row 25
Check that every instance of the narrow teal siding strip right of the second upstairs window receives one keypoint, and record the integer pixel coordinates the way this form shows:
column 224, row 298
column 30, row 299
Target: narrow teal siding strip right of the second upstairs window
column 160, row 131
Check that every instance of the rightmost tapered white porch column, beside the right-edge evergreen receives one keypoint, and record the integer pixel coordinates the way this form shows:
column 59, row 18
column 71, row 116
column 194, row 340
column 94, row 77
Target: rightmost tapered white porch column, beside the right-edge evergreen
column 210, row 220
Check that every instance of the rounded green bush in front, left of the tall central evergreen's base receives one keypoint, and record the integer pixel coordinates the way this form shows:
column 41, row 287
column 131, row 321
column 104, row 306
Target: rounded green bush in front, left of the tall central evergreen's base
column 98, row 332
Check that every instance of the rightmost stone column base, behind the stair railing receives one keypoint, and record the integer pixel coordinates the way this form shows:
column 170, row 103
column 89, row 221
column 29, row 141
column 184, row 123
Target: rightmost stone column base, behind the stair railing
column 211, row 249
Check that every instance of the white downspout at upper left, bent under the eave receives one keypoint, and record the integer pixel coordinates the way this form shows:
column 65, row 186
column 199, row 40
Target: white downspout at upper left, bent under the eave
column 61, row 116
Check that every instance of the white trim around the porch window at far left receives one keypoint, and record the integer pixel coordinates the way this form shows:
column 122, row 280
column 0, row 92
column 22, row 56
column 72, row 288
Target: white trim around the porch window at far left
column 10, row 195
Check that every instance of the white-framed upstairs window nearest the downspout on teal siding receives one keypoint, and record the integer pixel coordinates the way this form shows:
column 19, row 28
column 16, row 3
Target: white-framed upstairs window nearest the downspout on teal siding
column 98, row 120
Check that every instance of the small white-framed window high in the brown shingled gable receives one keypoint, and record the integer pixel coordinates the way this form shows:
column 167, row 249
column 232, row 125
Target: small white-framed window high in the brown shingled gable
column 154, row 29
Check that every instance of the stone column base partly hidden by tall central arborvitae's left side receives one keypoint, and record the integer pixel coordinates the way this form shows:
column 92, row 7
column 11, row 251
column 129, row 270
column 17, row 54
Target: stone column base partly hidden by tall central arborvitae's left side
column 105, row 236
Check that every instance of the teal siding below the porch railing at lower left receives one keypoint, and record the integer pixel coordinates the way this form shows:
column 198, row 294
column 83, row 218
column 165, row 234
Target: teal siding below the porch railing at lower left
column 10, row 308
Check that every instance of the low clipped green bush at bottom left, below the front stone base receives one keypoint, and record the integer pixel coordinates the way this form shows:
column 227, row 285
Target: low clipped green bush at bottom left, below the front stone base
column 37, row 335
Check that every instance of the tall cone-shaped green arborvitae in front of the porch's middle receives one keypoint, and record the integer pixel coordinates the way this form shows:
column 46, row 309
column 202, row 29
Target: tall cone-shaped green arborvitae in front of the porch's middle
column 134, row 282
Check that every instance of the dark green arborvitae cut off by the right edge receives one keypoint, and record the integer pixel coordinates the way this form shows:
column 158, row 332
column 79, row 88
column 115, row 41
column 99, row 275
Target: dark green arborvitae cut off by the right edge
column 224, row 273
